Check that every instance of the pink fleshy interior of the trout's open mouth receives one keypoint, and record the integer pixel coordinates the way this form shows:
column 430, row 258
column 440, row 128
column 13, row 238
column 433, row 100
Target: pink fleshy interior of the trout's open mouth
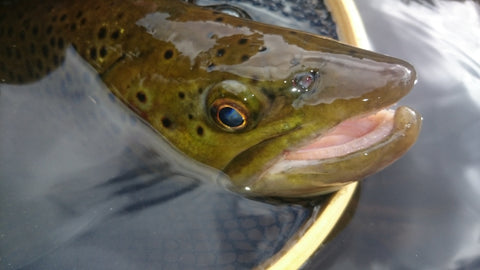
column 347, row 137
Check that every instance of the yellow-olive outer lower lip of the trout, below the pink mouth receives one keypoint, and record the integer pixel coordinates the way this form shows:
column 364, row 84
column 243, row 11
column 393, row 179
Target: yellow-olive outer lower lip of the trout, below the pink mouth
column 274, row 180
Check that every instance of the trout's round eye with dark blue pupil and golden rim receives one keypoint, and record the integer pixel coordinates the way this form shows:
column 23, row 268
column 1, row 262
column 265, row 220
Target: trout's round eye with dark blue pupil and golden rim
column 229, row 114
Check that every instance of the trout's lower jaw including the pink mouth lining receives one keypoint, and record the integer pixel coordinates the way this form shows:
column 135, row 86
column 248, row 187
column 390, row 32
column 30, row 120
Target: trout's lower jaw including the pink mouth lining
column 308, row 172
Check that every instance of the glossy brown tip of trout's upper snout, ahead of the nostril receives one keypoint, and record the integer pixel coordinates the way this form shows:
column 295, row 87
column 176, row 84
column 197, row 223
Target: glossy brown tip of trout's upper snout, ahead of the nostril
column 374, row 83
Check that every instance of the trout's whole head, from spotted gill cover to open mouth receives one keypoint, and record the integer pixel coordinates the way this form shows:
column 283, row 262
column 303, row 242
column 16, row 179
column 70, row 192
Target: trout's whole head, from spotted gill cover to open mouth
column 282, row 113
